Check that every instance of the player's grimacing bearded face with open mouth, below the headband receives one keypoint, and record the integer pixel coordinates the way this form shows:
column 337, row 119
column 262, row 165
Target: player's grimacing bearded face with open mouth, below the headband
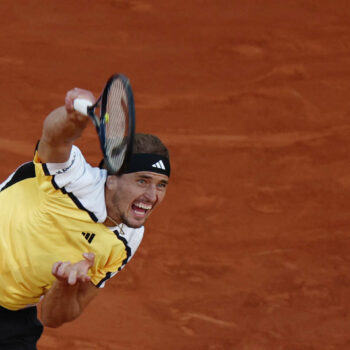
column 131, row 198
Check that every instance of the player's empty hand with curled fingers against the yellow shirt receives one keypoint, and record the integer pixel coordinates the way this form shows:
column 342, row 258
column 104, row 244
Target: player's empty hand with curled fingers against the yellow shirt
column 73, row 273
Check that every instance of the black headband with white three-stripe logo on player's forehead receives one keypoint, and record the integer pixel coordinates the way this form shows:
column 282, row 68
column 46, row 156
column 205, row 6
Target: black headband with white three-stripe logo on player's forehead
column 148, row 162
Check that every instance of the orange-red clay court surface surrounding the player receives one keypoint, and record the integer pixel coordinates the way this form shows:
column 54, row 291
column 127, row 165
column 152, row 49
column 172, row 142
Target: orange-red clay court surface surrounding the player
column 250, row 250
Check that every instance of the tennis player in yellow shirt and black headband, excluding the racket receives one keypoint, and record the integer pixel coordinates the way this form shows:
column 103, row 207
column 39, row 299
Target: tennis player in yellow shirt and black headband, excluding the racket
column 66, row 227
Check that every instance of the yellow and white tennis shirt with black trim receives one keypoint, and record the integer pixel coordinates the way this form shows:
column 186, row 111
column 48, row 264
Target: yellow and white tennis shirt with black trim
column 50, row 213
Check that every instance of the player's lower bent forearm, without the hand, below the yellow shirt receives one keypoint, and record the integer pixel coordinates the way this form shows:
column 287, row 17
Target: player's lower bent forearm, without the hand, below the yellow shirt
column 61, row 304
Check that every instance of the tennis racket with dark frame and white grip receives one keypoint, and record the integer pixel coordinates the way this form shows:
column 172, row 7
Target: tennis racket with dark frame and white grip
column 113, row 115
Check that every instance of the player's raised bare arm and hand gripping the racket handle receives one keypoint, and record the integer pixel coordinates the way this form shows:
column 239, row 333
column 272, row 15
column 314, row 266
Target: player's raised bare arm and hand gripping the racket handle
column 61, row 127
